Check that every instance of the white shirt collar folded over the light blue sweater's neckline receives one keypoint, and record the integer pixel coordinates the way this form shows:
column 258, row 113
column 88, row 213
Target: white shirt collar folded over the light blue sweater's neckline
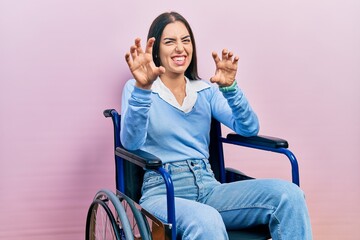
column 192, row 88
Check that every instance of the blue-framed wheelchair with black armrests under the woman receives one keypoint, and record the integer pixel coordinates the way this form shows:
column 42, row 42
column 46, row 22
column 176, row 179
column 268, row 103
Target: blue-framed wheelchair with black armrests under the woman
column 119, row 216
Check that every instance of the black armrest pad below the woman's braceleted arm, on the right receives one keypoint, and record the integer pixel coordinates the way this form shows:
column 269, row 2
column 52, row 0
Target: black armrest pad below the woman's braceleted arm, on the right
column 260, row 140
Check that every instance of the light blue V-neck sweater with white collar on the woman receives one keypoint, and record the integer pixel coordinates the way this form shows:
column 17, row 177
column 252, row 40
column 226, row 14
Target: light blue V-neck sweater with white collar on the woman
column 153, row 121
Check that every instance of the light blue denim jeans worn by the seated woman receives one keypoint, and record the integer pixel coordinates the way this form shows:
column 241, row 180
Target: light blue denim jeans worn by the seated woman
column 205, row 208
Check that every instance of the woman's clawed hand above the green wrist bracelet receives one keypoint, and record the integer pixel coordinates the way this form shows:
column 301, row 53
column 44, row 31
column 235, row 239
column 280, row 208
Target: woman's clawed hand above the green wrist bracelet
column 226, row 68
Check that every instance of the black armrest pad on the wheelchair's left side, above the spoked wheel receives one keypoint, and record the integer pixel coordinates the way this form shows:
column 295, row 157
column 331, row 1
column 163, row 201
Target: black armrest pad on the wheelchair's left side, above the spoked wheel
column 139, row 157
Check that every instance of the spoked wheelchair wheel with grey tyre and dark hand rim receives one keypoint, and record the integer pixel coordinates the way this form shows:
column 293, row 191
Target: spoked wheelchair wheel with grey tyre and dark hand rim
column 107, row 218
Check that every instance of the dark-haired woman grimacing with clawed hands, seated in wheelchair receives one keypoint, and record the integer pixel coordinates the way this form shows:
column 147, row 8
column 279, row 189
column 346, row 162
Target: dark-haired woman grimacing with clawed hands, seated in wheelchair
column 167, row 111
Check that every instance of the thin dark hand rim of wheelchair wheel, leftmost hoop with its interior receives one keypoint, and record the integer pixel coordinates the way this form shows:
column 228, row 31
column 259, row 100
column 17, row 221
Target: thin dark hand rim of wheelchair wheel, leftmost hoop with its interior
column 100, row 223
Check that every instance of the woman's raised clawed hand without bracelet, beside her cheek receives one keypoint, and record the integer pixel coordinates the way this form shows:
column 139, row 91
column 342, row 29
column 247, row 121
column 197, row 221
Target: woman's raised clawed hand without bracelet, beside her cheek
column 141, row 64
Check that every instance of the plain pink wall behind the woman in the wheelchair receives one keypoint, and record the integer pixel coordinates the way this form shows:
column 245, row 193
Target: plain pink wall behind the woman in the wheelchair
column 62, row 63
